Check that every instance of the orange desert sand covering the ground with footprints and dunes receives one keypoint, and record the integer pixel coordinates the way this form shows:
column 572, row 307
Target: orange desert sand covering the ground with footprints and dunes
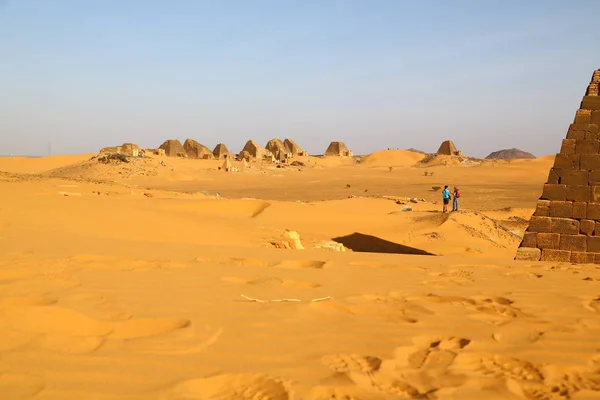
column 157, row 279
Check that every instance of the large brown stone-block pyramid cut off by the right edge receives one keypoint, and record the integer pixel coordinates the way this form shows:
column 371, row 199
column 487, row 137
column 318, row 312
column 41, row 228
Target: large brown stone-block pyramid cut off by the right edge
column 565, row 226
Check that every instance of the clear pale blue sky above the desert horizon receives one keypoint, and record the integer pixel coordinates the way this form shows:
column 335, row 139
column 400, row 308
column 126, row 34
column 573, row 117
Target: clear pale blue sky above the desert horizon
column 488, row 74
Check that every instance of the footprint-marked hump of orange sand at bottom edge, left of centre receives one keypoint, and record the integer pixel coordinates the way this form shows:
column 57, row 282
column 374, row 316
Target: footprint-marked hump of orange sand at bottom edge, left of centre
column 232, row 386
